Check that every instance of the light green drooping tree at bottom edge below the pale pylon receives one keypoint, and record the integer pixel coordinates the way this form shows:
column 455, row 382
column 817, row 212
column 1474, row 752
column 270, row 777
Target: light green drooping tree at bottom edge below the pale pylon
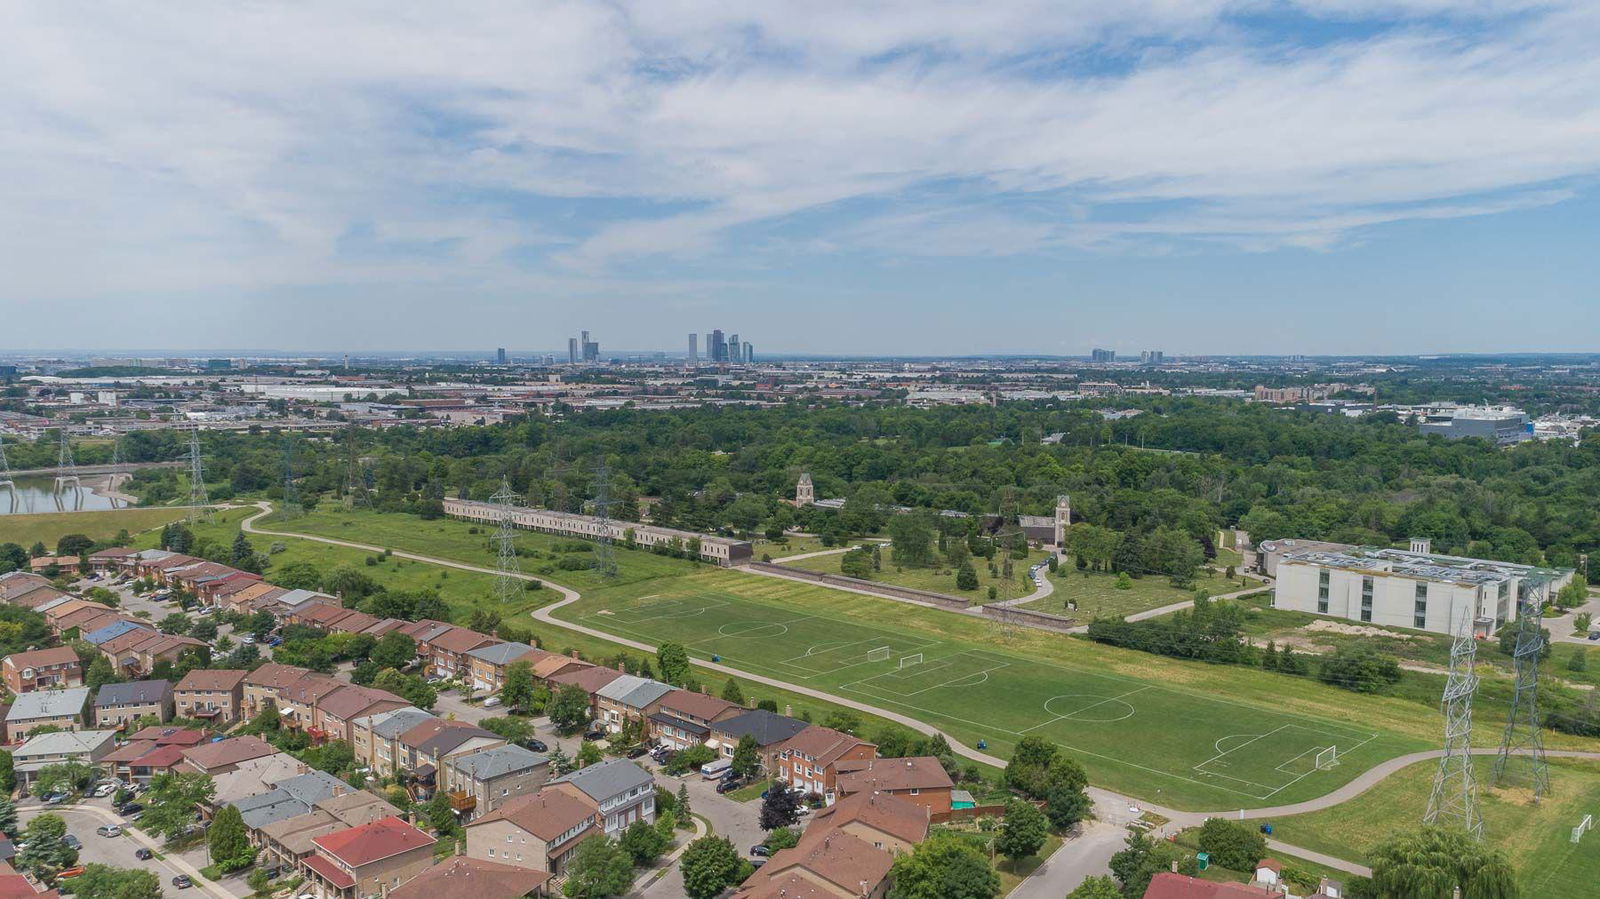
column 1433, row 863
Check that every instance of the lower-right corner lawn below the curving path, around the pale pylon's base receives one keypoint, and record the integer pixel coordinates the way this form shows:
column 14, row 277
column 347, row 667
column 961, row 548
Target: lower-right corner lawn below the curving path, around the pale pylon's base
column 1538, row 839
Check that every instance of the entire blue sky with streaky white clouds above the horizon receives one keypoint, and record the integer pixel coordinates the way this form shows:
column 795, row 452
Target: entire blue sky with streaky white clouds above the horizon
column 903, row 177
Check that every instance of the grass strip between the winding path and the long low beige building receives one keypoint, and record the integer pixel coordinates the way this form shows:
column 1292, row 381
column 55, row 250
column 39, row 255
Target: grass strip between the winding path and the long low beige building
column 455, row 540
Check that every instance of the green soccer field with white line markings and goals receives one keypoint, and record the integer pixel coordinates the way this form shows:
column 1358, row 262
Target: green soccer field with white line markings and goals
column 1206, row 748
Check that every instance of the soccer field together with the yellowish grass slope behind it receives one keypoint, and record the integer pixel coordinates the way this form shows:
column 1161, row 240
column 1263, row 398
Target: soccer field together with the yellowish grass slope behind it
column 1193, row 724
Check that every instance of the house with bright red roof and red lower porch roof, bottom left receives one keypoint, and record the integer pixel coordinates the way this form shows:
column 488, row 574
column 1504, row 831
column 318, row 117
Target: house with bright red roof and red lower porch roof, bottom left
column 367, row 861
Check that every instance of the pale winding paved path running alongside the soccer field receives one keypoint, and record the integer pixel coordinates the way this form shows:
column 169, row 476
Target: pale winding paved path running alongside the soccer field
column 1110, row 807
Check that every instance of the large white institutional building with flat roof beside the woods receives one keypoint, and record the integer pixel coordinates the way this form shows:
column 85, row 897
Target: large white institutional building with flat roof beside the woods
column 1410, row 588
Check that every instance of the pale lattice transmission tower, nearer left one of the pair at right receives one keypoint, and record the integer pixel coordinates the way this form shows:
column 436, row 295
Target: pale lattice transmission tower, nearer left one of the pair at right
column 1455, row 799
